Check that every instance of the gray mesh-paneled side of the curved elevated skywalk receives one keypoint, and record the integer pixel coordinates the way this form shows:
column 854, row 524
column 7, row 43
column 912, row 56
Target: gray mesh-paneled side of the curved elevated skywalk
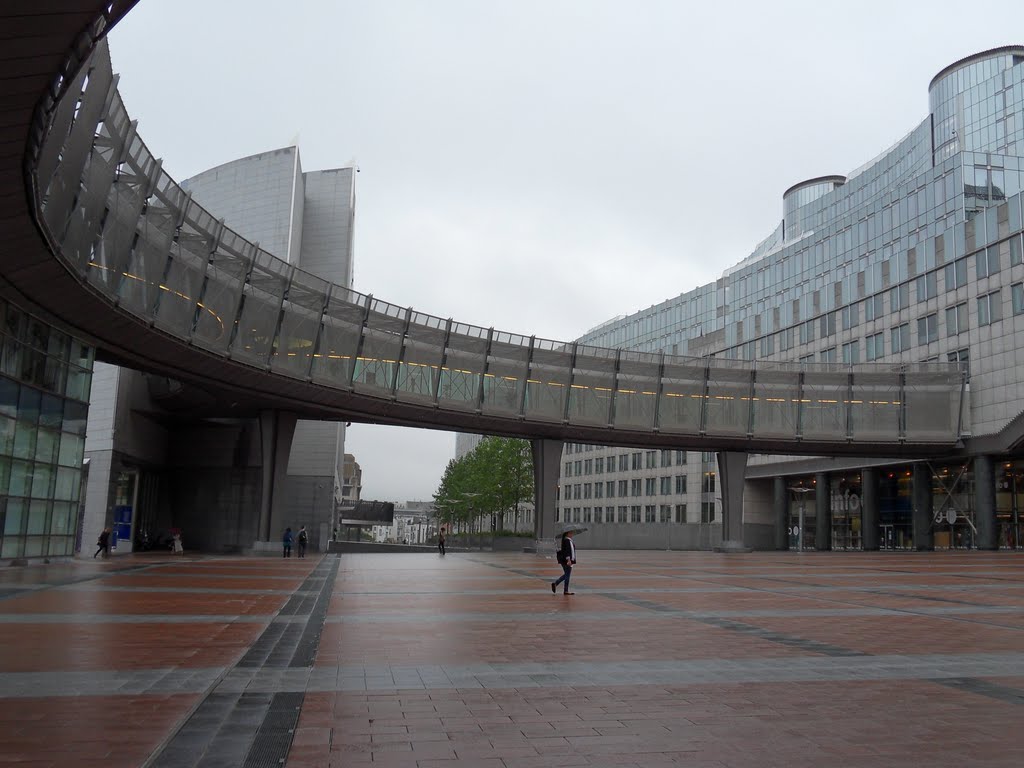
column 131, row 235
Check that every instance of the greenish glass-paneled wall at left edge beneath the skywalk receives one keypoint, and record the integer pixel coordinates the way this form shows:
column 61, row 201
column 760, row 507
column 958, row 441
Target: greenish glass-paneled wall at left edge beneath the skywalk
column 46, row 377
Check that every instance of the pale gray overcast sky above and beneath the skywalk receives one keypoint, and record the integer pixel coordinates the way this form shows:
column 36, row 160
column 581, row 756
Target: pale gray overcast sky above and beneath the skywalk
column 535, row 165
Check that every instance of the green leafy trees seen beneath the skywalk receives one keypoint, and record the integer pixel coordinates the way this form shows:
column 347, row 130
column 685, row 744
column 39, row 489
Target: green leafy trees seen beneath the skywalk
column 486, row 486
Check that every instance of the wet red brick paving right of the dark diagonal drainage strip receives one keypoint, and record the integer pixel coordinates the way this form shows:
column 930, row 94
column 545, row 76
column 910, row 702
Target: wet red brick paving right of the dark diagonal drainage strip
column 843, row 724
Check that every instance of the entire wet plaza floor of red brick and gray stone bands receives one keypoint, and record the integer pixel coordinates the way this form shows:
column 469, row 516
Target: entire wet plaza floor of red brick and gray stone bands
column 843, row 660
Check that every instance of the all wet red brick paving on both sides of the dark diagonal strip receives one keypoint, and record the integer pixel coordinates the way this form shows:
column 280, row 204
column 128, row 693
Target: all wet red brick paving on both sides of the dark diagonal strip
column 405, row 610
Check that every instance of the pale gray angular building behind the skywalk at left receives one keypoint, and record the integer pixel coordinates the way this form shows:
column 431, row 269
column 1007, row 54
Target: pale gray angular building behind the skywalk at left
column 161, row 453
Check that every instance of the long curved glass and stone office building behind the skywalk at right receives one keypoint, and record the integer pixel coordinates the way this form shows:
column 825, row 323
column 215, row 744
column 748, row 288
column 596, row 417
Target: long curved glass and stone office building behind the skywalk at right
column 915, row 257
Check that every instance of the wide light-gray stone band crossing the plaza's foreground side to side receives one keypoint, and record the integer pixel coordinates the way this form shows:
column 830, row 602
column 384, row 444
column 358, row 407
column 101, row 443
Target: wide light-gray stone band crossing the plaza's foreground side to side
column 520, row 675
